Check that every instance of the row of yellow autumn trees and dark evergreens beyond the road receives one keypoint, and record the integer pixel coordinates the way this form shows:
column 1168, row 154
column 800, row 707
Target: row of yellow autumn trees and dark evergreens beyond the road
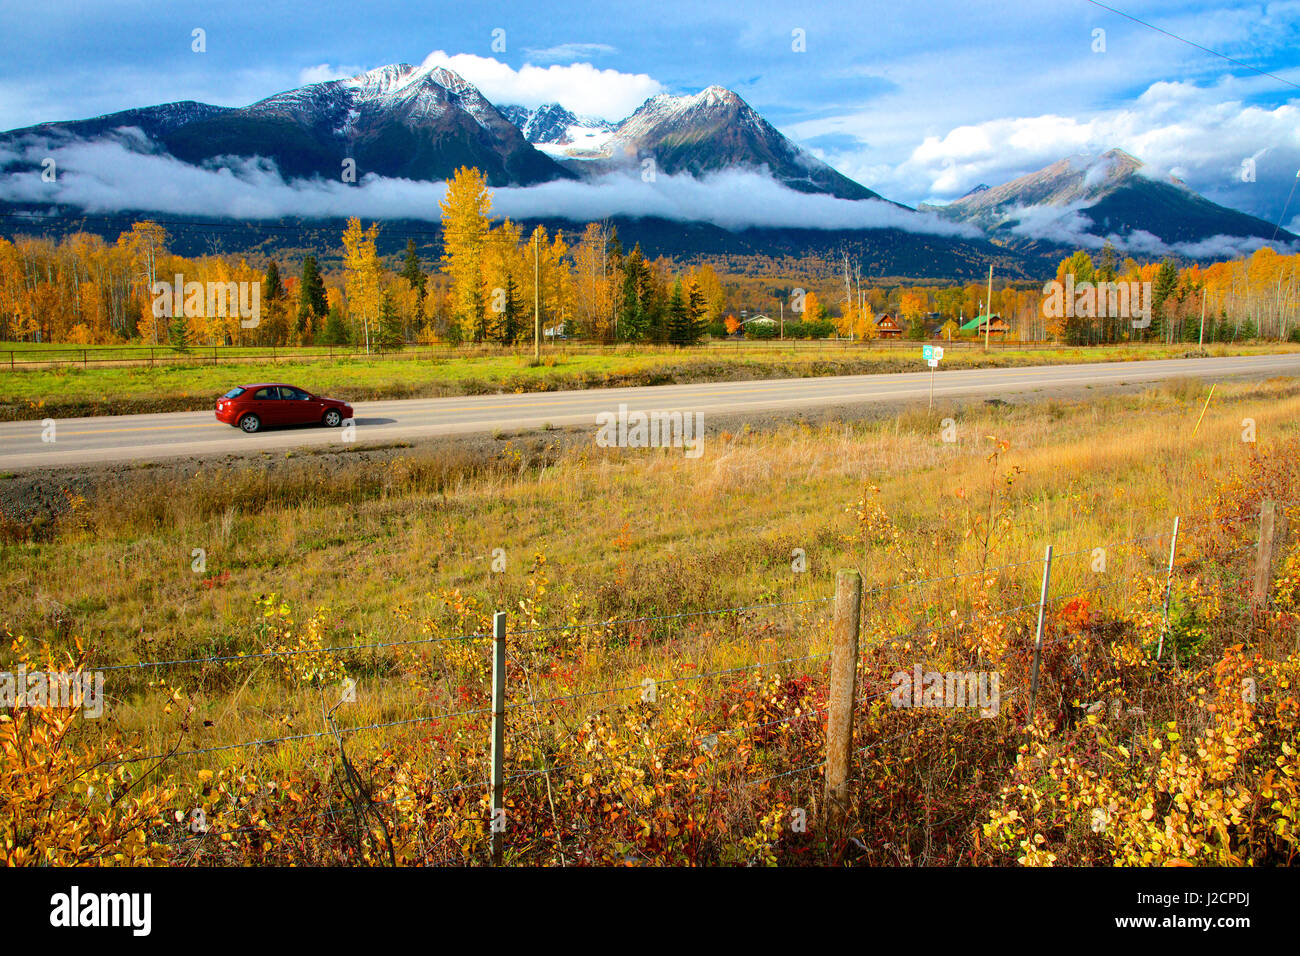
column 491, row 283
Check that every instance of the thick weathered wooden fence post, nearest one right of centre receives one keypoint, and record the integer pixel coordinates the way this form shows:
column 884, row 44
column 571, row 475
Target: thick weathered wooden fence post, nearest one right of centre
column 844, row 680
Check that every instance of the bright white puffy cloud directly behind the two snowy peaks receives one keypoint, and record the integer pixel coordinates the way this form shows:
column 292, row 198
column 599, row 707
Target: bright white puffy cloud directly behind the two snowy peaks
column 579, row 88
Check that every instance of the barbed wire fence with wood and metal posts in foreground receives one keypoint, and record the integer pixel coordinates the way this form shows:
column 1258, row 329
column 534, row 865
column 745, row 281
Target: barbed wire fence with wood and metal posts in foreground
column 842, row 667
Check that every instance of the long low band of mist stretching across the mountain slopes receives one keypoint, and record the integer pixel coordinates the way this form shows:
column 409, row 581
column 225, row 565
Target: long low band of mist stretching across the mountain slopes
column 109, row 176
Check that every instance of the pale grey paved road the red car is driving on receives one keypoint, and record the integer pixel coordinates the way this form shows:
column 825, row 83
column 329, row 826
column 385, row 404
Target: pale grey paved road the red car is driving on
column 144, row 438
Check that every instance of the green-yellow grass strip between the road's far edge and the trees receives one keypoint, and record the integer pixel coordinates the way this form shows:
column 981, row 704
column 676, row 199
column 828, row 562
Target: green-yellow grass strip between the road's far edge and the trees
column 72, row 392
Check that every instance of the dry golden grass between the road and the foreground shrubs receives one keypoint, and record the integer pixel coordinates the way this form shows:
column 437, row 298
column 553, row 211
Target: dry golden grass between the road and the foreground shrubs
column 625, row 534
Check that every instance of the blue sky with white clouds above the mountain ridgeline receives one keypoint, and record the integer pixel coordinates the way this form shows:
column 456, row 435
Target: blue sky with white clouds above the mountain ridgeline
column 920, row 101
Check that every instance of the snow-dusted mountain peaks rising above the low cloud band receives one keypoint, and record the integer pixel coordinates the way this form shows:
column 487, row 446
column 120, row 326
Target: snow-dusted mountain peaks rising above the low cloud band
column 423, row 123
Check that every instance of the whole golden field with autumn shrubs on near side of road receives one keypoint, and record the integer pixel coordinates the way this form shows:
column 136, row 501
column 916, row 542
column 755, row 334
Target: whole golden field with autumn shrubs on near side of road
column 300, row 557
